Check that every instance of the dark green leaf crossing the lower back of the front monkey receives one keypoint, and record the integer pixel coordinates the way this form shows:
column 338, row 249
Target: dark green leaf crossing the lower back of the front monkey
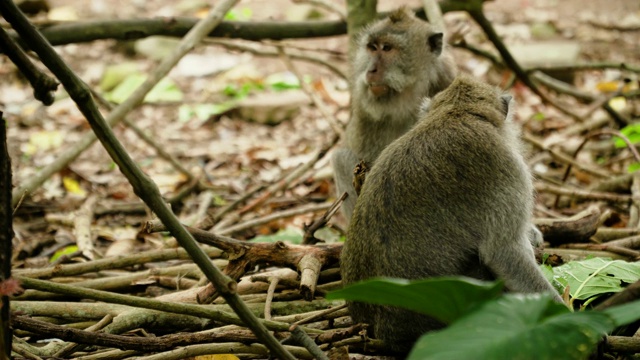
column 445, row 299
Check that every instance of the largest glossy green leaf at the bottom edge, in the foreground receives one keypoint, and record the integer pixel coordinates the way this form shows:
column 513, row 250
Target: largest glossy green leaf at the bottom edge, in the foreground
column 516, row 326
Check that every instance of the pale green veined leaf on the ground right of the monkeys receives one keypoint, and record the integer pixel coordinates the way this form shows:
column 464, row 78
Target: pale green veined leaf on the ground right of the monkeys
column 596, row 276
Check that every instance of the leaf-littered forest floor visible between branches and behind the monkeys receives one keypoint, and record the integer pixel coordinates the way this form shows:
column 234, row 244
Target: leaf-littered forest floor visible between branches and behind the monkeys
column 211, row 118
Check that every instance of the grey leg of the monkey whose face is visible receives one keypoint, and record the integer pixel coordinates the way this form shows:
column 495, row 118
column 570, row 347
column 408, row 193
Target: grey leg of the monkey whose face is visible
column 344, row 161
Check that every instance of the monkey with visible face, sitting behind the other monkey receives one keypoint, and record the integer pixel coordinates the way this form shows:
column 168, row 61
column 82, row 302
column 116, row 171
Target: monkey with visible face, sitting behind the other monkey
column 408, row 58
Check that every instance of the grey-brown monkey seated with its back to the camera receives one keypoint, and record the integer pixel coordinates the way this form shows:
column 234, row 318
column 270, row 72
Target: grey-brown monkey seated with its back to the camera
column 453, row 196
